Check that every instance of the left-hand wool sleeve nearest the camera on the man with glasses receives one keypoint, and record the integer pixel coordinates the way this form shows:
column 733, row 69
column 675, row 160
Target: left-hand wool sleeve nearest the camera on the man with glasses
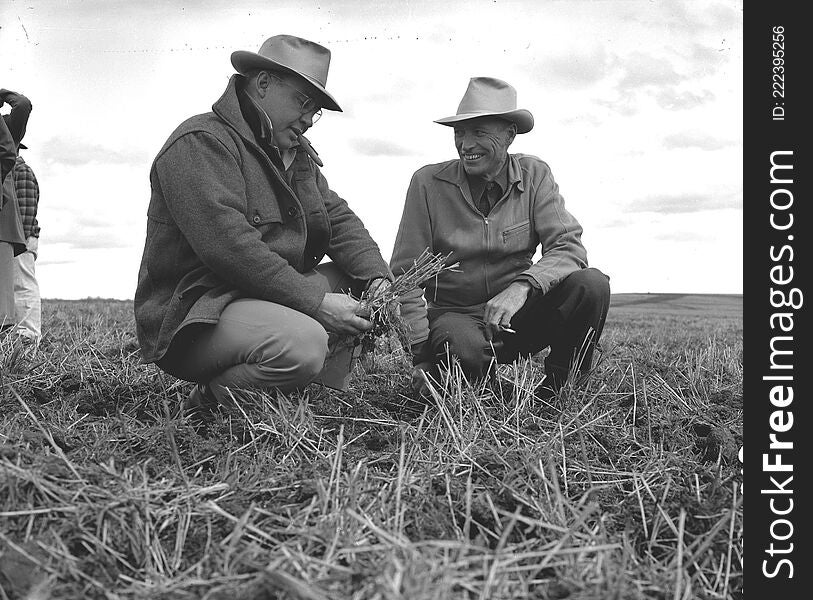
column 203, row 187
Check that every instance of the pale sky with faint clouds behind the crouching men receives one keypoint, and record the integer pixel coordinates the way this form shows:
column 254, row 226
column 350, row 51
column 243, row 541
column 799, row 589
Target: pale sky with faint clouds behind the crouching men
column 637, row 107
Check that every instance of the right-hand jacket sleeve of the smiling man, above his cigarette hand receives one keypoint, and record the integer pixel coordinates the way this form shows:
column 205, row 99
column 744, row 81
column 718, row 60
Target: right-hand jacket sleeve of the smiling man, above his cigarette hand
column 559, row 234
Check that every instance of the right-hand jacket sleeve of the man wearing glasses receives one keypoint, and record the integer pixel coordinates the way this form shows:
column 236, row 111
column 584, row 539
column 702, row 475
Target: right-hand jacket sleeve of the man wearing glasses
column 351, row 246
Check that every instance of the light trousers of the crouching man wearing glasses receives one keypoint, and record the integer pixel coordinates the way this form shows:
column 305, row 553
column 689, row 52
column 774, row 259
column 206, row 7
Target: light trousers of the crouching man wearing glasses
column 259, row 345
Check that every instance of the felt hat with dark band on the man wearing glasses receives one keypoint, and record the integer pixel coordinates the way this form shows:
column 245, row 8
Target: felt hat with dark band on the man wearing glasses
column 292, row 54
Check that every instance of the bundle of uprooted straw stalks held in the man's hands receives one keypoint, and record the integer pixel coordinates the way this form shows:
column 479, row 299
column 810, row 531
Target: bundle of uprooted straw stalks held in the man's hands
column 381, row 307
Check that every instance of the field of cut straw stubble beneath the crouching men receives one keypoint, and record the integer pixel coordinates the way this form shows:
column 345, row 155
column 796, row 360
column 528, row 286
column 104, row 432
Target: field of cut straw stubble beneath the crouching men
column 626, row 488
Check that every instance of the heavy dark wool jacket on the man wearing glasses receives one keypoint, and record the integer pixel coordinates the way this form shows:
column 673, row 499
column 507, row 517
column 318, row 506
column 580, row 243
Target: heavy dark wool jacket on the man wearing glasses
column 224, row 223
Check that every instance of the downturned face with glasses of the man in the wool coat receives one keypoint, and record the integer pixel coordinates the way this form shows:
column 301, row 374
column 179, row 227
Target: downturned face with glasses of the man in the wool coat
column 282, row 97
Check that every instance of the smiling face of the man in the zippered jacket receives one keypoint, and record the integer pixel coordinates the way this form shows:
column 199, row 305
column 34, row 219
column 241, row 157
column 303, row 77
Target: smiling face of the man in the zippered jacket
column 482, row 144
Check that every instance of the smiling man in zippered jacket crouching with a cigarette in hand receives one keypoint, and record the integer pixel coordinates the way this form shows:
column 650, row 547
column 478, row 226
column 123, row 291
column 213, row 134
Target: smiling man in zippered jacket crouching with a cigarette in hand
column 492, row 211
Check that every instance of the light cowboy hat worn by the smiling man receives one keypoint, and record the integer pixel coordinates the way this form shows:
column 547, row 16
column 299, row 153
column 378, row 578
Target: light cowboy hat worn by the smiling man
column 490, row 97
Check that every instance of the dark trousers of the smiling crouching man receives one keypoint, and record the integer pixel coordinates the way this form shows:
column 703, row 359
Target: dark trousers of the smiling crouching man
column 569, row 319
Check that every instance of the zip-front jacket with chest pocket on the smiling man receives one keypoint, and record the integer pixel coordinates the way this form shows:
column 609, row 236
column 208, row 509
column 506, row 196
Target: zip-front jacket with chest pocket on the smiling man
column 492, row 252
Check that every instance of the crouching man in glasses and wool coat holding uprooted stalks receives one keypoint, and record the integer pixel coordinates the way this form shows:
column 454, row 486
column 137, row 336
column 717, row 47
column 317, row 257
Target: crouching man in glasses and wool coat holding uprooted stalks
column 231, row 293
